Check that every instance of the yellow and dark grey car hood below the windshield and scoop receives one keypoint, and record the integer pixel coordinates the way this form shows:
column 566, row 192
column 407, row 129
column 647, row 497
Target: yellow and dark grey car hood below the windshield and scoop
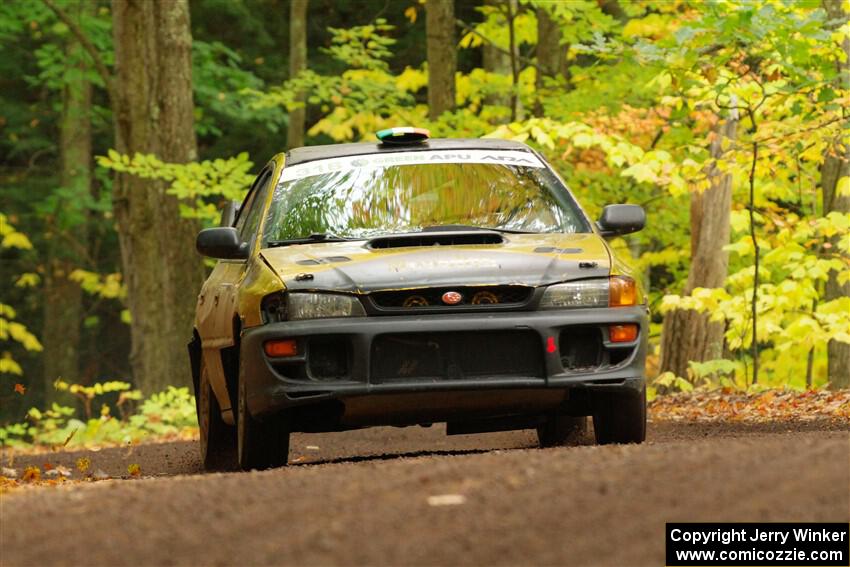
column 524, row 259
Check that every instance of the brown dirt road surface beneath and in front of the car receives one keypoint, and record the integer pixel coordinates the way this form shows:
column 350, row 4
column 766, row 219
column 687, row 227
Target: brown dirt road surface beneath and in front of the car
column 362, row 498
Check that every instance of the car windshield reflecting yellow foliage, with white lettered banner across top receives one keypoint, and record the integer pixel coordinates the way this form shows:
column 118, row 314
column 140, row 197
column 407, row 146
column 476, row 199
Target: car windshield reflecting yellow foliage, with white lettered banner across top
column 359, row 197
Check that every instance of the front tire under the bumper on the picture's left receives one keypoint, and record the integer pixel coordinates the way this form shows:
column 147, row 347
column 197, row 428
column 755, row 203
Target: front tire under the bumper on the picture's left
column 261, row 444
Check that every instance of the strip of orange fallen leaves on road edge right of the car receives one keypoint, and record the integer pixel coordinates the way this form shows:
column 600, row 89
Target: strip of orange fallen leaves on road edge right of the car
column 770, row 405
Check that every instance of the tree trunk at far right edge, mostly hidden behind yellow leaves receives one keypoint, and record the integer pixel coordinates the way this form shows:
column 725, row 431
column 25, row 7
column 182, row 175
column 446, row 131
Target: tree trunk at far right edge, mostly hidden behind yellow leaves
column 836, row 164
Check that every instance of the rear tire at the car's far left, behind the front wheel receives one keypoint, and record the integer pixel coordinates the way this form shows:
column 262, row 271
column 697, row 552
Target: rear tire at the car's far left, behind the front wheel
column 218, row 440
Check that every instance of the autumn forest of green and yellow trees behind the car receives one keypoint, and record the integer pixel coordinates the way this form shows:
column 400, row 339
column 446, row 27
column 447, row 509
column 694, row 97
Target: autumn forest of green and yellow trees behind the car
column 125, row 127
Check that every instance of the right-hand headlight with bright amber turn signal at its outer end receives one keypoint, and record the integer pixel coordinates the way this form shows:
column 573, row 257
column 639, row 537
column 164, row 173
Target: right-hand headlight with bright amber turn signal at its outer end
column 616, row 291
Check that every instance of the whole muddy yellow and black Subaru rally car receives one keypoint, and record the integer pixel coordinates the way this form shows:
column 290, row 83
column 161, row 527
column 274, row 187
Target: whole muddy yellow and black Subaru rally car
column 415, row 281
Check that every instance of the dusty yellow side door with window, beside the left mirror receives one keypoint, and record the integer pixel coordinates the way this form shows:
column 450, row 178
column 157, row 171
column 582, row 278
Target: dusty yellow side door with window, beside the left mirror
column 217, row 301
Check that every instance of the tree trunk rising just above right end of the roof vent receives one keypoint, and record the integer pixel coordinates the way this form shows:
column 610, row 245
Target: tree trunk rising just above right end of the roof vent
column 442, row 56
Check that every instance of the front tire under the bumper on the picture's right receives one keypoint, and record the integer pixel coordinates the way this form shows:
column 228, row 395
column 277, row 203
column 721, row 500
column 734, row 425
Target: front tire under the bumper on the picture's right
column 620, row 417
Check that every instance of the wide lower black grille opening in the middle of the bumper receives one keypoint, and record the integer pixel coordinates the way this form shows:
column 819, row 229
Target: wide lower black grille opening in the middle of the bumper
column 456, row 356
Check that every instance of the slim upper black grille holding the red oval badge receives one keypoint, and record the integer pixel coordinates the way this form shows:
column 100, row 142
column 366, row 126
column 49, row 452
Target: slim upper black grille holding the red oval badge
column 478, row 297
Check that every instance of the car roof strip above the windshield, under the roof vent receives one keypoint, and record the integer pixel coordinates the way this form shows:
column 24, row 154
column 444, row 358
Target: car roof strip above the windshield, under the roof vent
column 313, row 153
